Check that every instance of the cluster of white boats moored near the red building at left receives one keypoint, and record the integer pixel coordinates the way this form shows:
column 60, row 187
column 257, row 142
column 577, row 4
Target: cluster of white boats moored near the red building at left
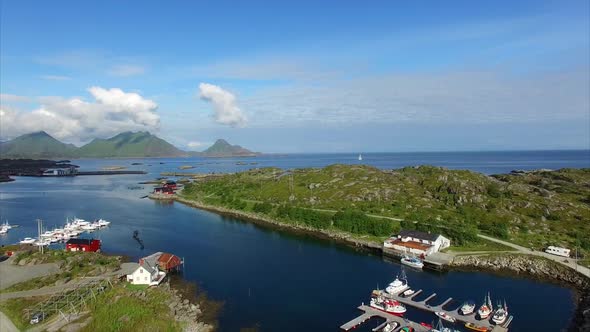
column 72, row 229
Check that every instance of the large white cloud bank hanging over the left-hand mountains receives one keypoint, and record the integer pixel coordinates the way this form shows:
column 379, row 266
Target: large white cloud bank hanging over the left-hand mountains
column 76, row 120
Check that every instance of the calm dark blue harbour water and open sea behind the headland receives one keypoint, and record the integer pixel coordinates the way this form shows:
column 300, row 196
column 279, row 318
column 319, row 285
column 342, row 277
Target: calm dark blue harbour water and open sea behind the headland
column 269, row 278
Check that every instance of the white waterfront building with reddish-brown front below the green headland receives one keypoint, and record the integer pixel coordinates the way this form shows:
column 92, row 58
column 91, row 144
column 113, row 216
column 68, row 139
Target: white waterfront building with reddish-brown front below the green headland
column 416, row 242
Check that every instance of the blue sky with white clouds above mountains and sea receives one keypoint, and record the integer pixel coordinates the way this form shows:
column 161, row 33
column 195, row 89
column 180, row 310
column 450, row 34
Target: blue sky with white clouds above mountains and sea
column 301, row 76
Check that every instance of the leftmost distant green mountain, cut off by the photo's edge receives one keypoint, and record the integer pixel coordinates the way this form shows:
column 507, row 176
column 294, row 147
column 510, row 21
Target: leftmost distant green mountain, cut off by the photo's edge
column 36, row 145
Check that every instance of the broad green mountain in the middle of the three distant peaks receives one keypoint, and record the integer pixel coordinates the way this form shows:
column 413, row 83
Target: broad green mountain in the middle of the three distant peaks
column 129, row 144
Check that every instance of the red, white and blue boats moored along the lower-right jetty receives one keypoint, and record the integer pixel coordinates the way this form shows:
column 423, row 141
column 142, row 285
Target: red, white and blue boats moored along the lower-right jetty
column 381, row 301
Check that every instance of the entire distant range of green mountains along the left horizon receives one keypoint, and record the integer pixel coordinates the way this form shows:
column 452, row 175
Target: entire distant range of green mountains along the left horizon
column 127, row 144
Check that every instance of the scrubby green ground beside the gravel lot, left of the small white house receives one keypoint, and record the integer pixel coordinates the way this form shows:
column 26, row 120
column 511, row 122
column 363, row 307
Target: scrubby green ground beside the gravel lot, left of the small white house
column 73, row 265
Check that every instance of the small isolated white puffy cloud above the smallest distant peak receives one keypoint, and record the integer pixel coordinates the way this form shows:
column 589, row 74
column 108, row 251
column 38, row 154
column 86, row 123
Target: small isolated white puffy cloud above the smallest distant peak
column 224, row 104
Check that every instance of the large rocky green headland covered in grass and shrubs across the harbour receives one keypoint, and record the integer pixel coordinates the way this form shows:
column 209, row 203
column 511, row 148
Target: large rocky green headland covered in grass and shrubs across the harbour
column 534, row 209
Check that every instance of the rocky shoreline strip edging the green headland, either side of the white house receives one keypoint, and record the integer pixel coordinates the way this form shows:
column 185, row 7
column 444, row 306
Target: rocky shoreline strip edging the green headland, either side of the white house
column 524, row 266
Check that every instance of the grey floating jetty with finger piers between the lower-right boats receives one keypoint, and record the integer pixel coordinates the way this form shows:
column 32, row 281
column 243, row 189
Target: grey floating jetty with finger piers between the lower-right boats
column 369, row 312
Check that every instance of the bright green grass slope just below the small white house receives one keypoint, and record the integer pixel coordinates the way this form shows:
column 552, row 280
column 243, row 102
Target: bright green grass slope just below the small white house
column 118, row 310
